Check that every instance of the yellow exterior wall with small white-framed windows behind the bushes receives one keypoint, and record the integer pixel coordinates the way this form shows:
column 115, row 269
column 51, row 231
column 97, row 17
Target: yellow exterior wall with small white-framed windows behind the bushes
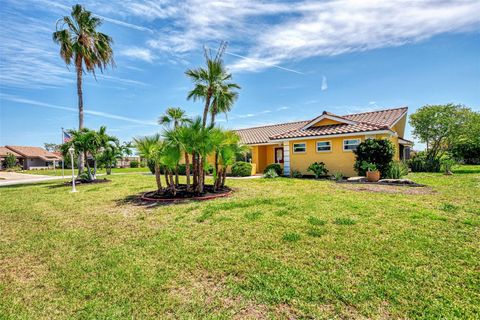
column 336, row 160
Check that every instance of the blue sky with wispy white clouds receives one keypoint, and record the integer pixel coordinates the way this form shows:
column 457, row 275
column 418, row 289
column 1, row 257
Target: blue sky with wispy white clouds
column 292, row 59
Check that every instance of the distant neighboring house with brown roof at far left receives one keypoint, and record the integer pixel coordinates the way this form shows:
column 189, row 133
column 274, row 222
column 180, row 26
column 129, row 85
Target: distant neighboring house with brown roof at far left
column 30, row 157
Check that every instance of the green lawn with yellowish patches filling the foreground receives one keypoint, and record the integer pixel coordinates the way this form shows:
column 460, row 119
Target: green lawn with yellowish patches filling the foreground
column 280, row 248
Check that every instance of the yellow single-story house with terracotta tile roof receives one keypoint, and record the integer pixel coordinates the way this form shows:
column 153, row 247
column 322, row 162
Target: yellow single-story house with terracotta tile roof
column 328, row 138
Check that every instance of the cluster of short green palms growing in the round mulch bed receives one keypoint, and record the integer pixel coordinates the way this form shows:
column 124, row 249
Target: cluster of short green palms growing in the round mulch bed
column 188, row 141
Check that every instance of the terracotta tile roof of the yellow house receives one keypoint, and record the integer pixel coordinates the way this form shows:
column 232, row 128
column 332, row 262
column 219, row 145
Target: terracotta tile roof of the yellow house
column 364, row 122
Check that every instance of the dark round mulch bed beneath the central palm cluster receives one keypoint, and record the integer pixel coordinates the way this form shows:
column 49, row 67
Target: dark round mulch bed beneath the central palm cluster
column 184, row 195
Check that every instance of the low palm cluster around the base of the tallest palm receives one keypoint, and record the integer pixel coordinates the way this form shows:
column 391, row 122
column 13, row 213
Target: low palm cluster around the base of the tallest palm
column 96, row 147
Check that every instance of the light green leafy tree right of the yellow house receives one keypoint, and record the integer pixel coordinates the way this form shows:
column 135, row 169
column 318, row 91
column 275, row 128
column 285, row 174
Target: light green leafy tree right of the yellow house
column 439, row 127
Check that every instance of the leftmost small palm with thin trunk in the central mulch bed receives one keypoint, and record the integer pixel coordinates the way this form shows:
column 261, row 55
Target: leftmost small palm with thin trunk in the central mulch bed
column 151, row 148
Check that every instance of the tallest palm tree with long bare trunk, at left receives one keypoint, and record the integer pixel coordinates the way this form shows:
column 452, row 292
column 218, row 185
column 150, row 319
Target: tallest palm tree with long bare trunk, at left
column 85, row 47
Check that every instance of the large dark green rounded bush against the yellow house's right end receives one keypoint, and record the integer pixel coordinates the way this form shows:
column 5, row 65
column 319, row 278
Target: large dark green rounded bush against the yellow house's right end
column 376, row 151
